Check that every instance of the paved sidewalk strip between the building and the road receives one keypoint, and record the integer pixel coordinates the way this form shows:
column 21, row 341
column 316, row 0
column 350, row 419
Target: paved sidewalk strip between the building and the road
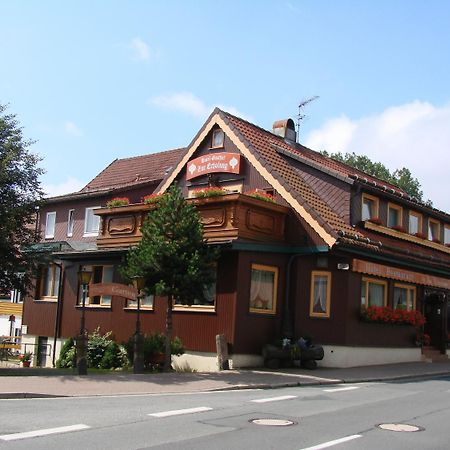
column 25, row 383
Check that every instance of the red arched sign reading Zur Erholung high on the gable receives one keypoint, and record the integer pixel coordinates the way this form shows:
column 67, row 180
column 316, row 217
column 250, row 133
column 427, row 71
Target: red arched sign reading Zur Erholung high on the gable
column 213, row 163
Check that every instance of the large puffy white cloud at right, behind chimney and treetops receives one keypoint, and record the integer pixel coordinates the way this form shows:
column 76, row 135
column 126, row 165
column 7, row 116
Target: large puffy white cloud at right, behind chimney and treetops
column 415, row 135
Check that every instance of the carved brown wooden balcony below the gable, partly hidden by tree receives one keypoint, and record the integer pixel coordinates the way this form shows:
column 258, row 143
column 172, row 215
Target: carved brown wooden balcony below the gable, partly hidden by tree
column 225, row 218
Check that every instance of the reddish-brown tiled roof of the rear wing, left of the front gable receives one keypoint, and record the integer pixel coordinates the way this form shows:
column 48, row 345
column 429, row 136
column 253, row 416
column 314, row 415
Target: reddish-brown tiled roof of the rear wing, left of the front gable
column 136, row 170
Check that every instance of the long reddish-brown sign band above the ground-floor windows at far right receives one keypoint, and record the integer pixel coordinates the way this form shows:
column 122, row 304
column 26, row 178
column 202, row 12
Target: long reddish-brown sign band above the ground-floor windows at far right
column 406, row 276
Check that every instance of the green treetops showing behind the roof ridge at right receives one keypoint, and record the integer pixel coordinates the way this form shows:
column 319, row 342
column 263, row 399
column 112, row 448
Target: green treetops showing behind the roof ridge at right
column 401, row 178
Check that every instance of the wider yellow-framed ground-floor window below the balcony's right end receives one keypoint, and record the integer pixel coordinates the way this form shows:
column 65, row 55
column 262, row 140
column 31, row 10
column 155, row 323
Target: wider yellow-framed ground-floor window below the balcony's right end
column 263, row 289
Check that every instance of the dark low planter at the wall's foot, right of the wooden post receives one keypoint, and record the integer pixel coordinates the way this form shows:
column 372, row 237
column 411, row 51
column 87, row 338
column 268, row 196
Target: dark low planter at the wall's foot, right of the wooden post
column 288, row 354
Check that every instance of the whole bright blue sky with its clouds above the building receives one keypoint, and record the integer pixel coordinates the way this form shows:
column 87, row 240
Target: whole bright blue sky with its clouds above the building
column 92, row 81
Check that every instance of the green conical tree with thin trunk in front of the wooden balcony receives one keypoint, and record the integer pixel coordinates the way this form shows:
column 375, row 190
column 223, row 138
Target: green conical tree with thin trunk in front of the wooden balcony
column 173, row 256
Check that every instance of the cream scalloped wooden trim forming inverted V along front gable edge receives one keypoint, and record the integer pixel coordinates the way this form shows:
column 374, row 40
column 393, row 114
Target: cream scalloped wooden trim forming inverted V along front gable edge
column 284, row 193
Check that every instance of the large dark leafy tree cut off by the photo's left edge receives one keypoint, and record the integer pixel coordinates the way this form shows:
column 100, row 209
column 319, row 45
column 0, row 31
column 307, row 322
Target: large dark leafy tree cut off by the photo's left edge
column 20, row 196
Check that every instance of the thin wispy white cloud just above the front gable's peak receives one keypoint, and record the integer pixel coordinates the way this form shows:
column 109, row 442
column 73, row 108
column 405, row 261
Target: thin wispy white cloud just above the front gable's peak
column 189, row 103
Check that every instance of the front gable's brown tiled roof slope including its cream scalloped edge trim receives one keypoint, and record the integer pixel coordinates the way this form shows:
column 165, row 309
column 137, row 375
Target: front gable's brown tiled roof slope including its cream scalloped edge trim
column 257, row 147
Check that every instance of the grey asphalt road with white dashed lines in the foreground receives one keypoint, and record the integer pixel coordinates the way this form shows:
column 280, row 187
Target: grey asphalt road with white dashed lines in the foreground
column 343, row 416
